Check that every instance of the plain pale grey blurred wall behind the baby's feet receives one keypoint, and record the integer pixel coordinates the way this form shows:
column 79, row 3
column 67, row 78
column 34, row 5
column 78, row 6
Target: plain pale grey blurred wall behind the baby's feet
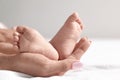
column 101, row 17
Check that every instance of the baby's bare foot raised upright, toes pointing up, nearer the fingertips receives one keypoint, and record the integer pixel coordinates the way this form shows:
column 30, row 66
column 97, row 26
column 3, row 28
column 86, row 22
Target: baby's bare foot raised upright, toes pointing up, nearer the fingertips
column 67, row 37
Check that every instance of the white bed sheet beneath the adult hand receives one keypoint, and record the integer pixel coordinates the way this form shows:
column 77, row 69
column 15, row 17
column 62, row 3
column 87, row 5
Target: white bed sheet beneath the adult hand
column 100, row 62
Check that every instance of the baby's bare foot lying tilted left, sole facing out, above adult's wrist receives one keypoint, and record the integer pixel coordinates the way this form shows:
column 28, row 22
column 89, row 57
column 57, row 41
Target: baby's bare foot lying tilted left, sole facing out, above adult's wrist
column 29, row 40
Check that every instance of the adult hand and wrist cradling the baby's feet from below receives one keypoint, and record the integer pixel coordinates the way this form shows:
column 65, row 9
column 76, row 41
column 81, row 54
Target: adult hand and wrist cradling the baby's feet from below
column 38, row 64
